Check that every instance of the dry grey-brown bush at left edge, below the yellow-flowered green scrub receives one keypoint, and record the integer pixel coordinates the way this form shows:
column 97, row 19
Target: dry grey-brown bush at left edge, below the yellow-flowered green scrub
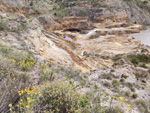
column 10, row 82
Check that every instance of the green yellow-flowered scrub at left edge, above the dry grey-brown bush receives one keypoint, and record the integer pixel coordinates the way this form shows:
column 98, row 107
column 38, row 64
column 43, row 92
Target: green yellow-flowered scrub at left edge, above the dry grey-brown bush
column 23, row 61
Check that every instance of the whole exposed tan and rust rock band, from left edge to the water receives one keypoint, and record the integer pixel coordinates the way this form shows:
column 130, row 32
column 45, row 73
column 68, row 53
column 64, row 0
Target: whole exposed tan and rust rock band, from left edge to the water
column 45, row 35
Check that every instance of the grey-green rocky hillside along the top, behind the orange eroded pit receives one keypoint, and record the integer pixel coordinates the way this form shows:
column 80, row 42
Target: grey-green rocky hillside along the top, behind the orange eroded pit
column 137, row 11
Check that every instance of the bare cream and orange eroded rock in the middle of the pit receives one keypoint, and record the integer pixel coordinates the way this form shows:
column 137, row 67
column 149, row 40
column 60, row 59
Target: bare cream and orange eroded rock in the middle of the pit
column 101, row 39
